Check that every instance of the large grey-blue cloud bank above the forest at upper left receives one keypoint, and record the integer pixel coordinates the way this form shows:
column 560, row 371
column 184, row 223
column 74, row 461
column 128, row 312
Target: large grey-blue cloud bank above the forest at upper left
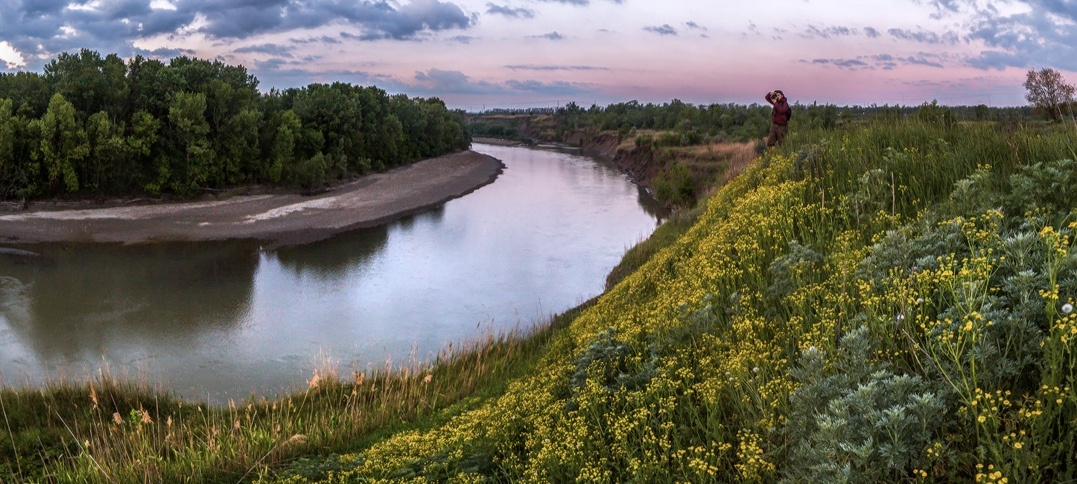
column 38, row 29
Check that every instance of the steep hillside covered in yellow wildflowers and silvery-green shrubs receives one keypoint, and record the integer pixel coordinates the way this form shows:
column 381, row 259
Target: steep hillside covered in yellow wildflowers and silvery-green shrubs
column 883, row 303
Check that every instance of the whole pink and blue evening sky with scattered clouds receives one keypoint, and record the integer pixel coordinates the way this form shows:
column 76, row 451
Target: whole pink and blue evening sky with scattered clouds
column 483, row 54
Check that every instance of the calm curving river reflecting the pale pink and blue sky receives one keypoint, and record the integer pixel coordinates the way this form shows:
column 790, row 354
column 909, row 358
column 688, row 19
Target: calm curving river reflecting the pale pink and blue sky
column 219, row 322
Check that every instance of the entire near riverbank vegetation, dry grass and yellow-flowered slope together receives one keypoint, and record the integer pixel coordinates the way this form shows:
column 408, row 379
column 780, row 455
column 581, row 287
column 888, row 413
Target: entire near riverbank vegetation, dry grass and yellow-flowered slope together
column 884, row 301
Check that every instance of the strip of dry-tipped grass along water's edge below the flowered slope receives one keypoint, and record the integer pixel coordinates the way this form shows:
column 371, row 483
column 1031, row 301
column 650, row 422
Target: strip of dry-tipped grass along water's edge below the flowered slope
column 118, row 432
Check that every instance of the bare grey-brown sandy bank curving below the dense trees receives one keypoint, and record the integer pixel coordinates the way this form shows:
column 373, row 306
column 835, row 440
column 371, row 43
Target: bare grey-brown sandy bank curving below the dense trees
column 279, row 219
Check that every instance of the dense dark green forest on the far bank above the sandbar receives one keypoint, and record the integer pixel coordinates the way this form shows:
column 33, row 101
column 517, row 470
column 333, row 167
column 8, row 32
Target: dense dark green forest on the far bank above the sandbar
column 92, row 127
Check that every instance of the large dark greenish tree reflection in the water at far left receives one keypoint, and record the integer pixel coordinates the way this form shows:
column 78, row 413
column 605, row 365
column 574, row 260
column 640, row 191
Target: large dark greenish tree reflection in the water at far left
column 77, row 303
